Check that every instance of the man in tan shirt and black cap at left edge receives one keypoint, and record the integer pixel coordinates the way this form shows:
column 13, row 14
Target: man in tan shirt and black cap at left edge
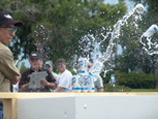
column 8, row 72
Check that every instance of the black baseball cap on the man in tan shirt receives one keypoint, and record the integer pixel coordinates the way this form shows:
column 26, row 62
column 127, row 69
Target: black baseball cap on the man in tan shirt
column 6, row 19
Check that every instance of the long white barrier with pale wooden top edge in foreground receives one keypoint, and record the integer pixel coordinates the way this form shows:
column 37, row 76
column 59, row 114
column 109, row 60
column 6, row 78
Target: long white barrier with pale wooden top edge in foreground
column 86, row 106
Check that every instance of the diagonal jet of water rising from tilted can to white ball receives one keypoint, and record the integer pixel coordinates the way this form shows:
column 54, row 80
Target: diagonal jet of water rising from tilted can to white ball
column 139, row 9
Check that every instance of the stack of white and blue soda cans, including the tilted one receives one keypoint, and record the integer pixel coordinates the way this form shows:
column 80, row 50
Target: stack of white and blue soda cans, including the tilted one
column 84, row 80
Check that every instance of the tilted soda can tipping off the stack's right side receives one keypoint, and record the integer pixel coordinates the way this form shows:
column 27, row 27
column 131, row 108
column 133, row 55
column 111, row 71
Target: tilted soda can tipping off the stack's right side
column 96, row 69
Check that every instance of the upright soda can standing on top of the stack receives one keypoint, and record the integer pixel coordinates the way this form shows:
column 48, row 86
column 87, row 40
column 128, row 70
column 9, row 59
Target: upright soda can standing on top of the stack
column 82, row 66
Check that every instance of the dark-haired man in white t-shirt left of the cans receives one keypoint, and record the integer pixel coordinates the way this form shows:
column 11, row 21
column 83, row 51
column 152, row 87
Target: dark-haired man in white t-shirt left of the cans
column 64, row 79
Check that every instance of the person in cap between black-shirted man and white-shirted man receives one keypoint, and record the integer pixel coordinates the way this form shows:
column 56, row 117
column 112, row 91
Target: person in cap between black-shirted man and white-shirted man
column 49, row 66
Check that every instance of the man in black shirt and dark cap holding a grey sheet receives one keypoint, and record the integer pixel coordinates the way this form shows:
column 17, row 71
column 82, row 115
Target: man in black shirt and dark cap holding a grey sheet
column 48, row 82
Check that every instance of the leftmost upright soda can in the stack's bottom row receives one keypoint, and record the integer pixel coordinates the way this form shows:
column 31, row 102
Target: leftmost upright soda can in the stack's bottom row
column 76, row 83
